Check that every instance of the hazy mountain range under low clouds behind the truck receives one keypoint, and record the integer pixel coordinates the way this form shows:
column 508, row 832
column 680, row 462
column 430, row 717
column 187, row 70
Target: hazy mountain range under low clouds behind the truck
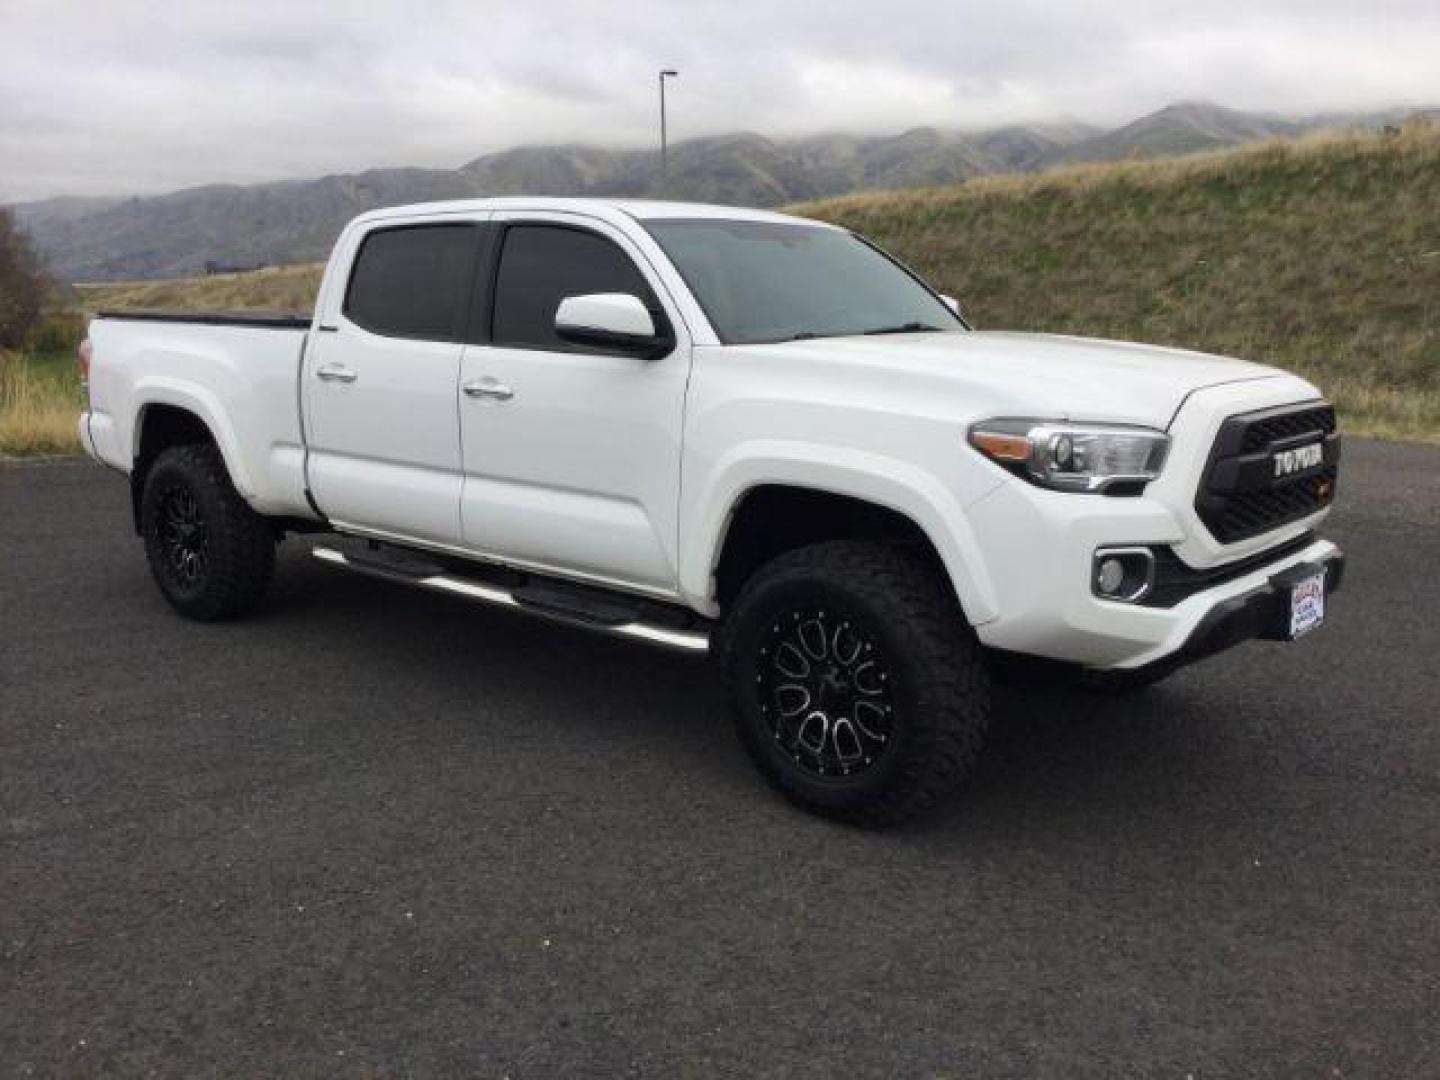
column 297, row 221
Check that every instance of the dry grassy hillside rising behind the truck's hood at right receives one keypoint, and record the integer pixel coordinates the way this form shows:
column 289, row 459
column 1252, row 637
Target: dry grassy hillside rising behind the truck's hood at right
column 1320, row 256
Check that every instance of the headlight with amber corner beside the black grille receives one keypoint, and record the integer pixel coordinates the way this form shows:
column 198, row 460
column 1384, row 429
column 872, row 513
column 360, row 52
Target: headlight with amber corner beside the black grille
column 1075, row 457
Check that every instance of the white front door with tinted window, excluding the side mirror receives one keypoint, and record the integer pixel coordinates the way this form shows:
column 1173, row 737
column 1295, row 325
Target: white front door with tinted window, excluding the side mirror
column 571, row 454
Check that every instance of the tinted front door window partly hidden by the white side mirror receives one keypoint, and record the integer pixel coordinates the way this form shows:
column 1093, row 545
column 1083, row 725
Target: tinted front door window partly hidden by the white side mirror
column 544, row 264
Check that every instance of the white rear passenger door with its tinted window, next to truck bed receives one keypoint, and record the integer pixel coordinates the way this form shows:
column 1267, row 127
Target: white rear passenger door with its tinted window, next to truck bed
column 381, row 382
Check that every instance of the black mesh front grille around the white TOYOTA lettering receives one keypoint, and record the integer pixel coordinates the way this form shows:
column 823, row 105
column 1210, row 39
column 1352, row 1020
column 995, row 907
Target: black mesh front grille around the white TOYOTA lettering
column 1242, row 498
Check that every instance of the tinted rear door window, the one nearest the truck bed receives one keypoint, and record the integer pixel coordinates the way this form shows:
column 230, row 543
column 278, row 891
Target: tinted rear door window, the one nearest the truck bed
column 414, row 282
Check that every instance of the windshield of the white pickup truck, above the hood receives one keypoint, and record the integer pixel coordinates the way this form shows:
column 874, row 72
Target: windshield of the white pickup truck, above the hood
column 783, row 282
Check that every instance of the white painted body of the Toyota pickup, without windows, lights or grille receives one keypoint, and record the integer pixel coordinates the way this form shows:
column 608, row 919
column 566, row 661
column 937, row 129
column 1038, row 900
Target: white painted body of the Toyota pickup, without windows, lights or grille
column 627, row 473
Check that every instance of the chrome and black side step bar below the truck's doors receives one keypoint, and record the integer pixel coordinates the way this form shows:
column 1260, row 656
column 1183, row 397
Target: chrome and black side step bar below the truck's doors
column 542, row 600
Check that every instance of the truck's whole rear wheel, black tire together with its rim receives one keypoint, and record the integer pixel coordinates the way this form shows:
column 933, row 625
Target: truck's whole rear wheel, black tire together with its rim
column 211, row 555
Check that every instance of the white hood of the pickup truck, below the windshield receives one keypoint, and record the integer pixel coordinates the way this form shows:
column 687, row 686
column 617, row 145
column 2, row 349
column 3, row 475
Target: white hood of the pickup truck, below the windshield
column 1032, row 375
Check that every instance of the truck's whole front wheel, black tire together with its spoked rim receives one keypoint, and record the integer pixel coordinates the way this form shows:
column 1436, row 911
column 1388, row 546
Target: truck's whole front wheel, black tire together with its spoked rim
column 858, row 686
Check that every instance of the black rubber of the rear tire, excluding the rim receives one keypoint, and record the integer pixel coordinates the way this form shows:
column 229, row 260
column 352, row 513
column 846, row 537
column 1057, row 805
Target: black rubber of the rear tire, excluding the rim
column 243, row 544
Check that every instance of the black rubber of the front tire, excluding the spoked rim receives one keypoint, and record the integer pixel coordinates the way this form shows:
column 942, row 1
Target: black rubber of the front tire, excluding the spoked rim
column 944, row 657
